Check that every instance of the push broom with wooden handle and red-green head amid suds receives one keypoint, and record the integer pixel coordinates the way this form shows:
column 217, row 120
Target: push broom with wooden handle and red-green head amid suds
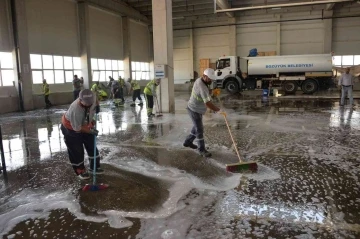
column 242, row 166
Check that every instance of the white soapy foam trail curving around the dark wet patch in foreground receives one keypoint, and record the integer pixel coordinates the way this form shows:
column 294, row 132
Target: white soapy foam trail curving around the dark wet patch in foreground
column 39, row 206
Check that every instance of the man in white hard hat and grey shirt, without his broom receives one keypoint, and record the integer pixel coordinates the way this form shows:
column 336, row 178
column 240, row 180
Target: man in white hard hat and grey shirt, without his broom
column 200, row 100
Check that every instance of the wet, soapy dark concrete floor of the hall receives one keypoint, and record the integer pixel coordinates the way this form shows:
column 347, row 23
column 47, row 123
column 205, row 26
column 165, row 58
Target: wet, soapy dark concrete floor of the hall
column 307, row 185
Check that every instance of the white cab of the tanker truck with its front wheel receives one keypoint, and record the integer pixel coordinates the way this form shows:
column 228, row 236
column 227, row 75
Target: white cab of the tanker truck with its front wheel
column 228, row 74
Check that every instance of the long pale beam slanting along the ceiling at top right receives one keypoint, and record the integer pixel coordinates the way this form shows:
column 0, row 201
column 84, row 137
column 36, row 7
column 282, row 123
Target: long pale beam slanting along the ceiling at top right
column 281, row 5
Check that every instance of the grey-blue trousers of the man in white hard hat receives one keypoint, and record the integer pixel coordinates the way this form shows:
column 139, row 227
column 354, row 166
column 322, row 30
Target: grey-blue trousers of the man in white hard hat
column 197, row 130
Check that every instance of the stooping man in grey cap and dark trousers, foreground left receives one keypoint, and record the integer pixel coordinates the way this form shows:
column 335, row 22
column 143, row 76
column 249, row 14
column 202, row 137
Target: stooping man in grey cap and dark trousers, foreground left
column 78, row 130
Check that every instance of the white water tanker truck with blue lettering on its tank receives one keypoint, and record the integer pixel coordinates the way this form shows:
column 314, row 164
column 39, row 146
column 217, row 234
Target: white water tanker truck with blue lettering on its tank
column 309, row 72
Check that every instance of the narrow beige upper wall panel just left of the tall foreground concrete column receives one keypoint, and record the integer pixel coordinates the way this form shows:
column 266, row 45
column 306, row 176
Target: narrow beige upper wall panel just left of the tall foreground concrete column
column 140, row 42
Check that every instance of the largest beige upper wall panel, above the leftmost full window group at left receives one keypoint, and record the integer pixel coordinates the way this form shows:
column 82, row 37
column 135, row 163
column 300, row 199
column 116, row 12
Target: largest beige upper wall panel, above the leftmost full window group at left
column 52, row 27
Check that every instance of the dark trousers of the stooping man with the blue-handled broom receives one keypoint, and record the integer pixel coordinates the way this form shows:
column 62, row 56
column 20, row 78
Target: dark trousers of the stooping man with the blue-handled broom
column 75, row 143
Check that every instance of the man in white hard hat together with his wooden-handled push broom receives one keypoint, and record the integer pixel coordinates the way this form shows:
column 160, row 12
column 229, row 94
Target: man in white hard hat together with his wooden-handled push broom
column 200, row 99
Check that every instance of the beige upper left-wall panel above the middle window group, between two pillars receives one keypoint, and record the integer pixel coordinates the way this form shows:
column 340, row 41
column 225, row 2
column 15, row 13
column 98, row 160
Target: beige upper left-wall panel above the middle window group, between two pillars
column 106, row 40
